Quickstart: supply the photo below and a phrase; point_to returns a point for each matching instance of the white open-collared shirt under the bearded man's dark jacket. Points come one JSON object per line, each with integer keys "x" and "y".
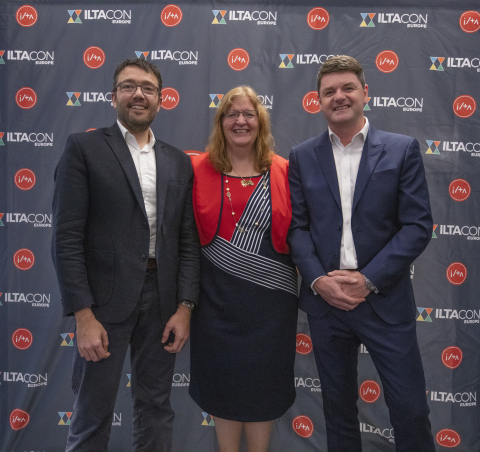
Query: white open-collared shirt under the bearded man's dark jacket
{"x": 145, "y": 164}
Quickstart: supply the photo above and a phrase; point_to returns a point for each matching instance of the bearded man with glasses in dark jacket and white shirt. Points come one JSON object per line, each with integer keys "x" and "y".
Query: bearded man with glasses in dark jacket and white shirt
{"x": 126, "y": 252}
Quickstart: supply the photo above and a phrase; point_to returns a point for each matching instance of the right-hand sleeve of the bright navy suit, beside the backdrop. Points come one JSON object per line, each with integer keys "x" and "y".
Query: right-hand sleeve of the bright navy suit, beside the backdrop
{"x": 415, "y": 224}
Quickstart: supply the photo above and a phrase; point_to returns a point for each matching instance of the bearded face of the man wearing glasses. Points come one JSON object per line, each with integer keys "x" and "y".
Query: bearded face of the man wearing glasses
{"x": 136, "y": 111}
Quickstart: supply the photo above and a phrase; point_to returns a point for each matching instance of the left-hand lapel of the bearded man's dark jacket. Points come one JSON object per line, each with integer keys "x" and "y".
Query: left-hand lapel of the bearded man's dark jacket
{"x": 119, "y": 146}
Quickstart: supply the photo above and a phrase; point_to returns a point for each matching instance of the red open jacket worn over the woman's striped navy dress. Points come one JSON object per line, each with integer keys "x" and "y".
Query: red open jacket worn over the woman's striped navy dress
{"x": 207, "y": 200}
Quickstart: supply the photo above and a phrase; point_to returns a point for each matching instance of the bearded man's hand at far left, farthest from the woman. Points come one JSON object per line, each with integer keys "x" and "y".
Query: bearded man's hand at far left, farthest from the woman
{"x": 92, "y": 339}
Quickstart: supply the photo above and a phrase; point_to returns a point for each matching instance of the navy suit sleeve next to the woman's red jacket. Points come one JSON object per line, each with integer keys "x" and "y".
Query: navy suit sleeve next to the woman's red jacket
{"x": 301, "y": 245}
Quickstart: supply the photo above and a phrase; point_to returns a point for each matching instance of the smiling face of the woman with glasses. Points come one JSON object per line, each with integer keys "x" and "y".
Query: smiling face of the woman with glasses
{"x": 240, "y": 133}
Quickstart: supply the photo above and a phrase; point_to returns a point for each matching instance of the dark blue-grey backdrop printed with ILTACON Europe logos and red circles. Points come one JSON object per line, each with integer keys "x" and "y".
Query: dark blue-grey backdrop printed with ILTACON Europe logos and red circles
{"x": 422, "y": 65}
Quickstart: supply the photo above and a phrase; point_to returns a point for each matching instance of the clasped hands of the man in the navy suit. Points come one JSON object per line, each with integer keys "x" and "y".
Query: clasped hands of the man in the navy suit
{"x": 335, "y": 290}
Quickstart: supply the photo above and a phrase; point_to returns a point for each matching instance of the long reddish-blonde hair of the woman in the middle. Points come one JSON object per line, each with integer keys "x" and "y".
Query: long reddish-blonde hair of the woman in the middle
{"x": 264, "y": 143}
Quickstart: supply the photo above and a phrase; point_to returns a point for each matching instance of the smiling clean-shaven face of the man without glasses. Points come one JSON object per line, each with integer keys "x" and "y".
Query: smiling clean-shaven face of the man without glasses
{"x": 342, "y": 99}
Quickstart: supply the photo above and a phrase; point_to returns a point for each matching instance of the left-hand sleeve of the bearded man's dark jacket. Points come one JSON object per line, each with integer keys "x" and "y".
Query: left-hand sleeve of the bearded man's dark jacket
{"x": 70, "y": 211}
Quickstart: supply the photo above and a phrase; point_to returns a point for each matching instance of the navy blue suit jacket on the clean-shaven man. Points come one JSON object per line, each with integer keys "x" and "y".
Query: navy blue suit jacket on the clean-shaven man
{"x": 391, "y": 219}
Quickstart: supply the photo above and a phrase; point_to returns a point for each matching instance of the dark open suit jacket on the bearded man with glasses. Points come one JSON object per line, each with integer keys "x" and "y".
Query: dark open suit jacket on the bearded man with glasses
{"x": 101, "y": 233}
